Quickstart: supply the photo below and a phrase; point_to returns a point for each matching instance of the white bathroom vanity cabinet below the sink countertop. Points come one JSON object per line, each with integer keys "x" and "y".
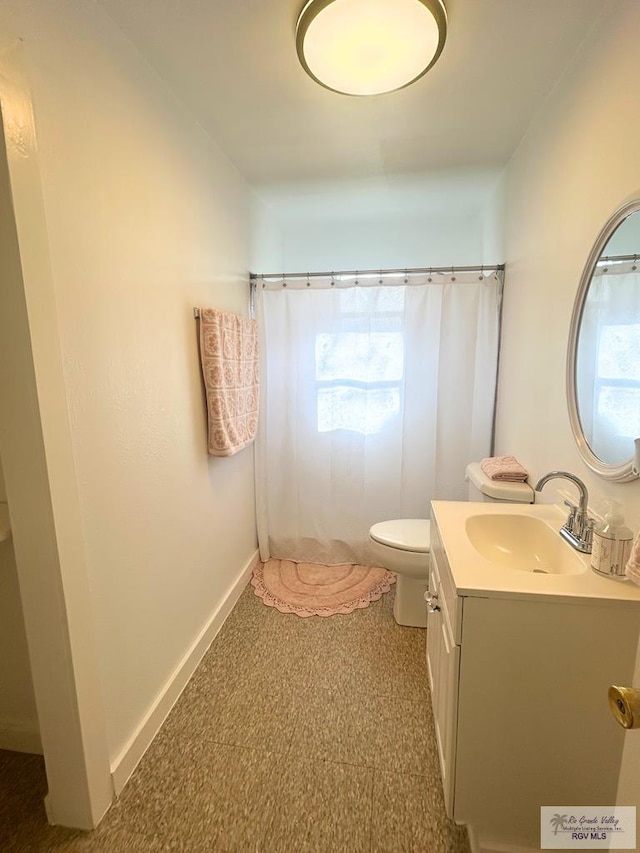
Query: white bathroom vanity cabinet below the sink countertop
{"x": 519, "y": 690}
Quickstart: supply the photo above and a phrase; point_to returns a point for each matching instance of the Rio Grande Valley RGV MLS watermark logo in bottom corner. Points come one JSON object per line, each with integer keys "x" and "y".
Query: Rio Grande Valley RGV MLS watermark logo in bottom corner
{"x": 588, "y": 828}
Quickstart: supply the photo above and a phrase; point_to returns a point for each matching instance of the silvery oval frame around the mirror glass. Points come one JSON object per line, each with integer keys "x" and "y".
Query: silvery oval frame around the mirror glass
{"x": 616, "y": 473}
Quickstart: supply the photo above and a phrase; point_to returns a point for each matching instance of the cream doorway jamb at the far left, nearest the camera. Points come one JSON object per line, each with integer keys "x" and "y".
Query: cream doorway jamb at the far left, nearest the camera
{"x": 40, "y": 482}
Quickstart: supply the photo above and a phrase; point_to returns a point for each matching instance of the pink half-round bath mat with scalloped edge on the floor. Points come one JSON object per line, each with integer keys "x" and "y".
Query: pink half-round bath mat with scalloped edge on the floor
{"x": 309, "y": 589}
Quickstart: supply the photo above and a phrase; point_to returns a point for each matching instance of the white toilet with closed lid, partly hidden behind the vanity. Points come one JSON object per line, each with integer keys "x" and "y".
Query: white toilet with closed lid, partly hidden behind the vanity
{"x": 403, "y": 544}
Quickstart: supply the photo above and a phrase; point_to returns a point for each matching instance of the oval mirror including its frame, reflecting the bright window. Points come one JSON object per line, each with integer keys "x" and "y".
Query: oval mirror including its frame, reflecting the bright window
{"x": 603, "y": 360}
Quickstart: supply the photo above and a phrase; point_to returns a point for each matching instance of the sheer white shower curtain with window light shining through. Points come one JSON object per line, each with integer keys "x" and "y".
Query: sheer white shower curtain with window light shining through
{"x": 374, "y": 399}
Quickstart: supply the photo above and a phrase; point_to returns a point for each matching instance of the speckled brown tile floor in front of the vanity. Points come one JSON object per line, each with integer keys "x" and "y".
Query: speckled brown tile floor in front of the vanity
{"x": 294, "y": 735}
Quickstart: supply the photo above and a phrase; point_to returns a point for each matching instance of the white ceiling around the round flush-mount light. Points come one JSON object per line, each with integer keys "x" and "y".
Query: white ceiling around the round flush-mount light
{"x": 234, "y": 64}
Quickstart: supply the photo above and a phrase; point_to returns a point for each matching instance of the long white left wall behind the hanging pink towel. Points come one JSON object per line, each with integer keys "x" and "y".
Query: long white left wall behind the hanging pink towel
{"x": 146, "y": 218}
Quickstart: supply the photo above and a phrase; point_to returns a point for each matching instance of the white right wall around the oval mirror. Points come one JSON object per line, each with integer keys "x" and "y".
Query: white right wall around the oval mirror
{"x": 577, "y": 163}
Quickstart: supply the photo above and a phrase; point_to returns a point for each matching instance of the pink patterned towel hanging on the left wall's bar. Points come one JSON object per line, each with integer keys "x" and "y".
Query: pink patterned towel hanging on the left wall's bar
{"x": 230, "y": 369}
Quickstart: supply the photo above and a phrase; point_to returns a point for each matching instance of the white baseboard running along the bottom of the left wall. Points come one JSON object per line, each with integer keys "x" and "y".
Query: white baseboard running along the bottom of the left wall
{"x": 127, "y": 761}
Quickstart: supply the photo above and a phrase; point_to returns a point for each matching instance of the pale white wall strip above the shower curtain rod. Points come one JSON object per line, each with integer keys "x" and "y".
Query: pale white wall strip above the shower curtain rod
{"x": 372, "y": 224}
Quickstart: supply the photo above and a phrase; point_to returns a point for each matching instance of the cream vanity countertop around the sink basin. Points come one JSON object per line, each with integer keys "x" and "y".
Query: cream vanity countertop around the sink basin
{"x": 473, "y": 575}
